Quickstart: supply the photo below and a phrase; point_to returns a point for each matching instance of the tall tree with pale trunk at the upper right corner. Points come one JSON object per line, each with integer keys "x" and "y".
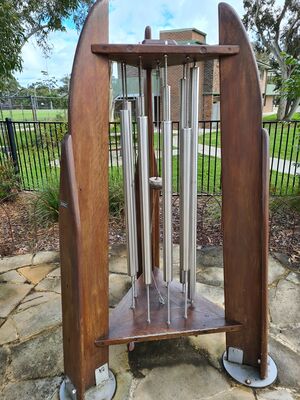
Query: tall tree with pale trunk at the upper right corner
{"x": 276, "y": 30}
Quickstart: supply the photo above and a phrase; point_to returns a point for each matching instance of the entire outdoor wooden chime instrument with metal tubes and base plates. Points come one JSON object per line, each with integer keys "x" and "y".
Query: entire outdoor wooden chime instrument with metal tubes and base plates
{"x": 158, "y": 306}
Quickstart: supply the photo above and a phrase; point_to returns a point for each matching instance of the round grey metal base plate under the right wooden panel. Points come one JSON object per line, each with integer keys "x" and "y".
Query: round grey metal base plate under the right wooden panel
{"x": 249, "y": 376}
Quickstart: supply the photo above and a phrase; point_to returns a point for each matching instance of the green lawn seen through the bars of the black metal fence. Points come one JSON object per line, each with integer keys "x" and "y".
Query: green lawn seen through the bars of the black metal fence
{"x": 39, "y": 156}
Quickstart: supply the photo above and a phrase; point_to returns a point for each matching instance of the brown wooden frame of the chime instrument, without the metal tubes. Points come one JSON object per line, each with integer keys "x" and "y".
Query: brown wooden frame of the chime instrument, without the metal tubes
{"x": 87, "y": 328}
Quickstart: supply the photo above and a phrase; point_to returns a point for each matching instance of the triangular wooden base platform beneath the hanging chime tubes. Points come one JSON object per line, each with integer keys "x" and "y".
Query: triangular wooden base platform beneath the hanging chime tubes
{"x": 128, "y": 325}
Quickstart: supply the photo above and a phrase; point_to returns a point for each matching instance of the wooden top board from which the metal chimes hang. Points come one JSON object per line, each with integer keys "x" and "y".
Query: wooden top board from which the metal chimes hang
{"x": 152, "y": 53}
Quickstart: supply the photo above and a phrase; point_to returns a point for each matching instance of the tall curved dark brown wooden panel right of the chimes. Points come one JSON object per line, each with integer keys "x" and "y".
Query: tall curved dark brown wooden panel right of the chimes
{"x": 242, "y": 207}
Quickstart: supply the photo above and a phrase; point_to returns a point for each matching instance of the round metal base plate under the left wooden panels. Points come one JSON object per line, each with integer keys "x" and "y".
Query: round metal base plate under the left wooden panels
{"x": 104, "y": 391}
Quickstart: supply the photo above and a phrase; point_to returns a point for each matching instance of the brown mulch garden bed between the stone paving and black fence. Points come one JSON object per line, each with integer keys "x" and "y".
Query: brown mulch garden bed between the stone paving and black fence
{"x": 21, "y": 234}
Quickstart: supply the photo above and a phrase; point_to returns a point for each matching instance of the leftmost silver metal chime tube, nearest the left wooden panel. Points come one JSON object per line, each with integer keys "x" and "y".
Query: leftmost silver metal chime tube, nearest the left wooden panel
{"x": 129, "y": 186}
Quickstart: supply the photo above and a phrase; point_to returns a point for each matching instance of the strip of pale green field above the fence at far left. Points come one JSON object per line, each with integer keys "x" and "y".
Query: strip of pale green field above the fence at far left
{"x": 42, "y": 115}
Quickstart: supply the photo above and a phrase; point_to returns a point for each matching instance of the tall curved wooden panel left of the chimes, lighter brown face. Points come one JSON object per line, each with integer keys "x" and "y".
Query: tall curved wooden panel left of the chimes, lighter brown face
{"x": 88, "y": 127}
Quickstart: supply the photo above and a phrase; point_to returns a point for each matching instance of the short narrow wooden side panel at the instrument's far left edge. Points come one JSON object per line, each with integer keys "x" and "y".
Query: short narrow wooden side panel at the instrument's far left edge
{"x": 69, "y": 229}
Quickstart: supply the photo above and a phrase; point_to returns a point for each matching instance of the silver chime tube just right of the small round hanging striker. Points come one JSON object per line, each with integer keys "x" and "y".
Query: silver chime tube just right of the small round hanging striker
{"x": 167, "y": 189}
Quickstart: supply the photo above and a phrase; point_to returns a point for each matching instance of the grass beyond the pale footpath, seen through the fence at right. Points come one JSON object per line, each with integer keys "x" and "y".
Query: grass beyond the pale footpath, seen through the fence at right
{"x": 284, "y": 140}
